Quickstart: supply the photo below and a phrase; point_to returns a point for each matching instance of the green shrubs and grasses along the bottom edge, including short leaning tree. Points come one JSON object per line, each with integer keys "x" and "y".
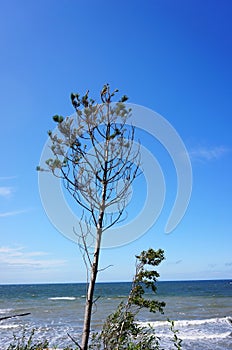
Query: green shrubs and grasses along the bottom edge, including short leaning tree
{"x": 122, "y": 330}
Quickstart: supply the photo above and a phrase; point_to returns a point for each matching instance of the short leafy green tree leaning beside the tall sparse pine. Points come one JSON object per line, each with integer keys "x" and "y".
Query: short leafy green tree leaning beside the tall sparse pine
{"x": 121, "y": 329}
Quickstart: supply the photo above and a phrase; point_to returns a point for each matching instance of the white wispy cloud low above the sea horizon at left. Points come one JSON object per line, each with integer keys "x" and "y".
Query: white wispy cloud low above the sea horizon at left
{"x": 18, "y": 258}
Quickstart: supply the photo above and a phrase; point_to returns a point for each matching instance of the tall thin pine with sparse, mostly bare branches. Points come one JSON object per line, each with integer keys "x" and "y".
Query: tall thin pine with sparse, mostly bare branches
{"x": 94, "y": 155}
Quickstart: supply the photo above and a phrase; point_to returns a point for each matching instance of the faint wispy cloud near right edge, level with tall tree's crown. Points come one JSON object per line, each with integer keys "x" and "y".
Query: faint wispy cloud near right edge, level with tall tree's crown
{"x": 208, "y": 153}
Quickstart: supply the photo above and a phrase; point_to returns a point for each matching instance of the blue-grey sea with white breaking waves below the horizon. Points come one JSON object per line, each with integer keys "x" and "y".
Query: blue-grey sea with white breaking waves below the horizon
{"x": 201, "y": 310}
